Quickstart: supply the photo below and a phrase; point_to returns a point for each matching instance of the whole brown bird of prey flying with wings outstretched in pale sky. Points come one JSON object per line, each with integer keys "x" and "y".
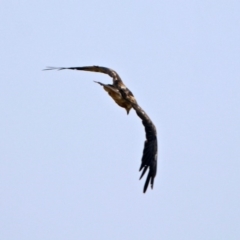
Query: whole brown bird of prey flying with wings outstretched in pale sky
{"x": 125, "y": 99}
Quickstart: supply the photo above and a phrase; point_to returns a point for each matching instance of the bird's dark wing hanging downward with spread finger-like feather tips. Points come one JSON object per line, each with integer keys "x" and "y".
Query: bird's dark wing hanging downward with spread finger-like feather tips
{"x": 149, "y": 158}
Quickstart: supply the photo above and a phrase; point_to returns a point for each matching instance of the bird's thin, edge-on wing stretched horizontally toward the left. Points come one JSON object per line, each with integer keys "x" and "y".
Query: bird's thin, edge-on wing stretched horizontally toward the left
{"x": 105, "y": 70}
